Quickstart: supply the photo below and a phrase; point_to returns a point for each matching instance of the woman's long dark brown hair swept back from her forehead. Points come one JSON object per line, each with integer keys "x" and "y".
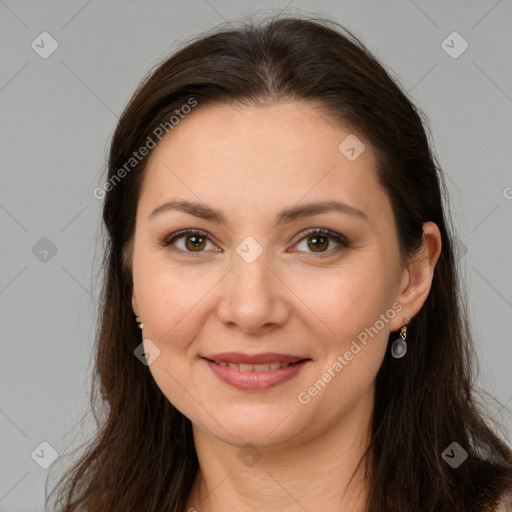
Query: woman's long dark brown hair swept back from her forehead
{"x": 142, "y": 456}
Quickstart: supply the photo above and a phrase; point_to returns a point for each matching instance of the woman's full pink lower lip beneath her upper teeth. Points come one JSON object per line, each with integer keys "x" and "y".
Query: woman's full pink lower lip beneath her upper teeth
{"x": 255, "y": 381}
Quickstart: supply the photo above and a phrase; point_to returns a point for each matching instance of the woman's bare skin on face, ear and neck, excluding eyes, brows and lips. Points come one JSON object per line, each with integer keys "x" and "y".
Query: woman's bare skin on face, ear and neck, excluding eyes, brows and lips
{"x": 251, "y": 162}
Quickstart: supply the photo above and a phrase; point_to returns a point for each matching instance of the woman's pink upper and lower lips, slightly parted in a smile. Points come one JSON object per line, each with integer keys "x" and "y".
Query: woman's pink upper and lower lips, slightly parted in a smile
{"x": 255, "y": 380}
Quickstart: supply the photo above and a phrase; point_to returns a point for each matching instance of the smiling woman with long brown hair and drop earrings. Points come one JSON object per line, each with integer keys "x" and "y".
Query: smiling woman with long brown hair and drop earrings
{"x": 276, "y": 225}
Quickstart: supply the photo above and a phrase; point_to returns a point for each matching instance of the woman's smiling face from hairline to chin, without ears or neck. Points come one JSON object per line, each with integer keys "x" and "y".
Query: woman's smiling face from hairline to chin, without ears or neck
{"x": 253, "y": 281}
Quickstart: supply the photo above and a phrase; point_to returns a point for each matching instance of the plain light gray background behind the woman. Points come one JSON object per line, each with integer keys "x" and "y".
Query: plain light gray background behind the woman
{"x": 57, "y": 117}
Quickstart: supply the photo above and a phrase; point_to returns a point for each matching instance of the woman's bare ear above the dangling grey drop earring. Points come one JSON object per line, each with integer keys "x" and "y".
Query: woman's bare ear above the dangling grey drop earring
{"x": 417, "y": 277}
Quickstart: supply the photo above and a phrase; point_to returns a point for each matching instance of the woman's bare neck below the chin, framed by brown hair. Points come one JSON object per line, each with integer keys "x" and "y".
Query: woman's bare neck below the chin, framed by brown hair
{"x": 318, "y": 473}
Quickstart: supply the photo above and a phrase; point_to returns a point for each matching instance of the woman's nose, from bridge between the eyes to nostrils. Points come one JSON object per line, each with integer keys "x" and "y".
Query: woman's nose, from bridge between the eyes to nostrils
{"x": 253, "y": 296}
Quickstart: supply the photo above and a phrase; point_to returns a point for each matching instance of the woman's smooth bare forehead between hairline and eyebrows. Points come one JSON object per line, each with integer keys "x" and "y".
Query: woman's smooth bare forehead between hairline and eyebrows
{"x": 262, "y": 155}
